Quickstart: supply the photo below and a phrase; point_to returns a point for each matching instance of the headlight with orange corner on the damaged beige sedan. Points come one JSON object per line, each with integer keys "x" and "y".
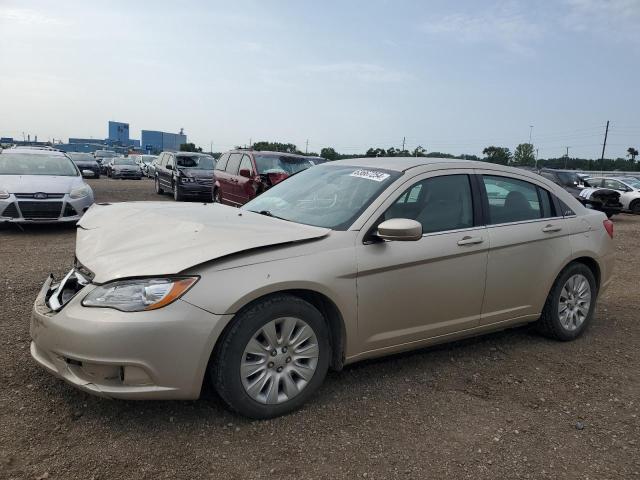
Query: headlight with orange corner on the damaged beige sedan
{"x": 138, "y": 295}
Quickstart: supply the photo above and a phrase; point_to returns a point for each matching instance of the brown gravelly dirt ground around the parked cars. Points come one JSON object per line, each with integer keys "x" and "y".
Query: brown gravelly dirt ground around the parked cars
{"x": 507, "y": 405}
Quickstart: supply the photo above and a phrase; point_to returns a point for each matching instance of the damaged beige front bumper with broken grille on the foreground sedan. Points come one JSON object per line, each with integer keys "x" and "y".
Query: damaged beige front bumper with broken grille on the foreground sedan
{"x": 158, "y": 354}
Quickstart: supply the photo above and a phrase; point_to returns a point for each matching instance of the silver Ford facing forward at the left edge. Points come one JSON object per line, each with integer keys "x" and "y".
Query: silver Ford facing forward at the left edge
{"x": 41, "y": 186}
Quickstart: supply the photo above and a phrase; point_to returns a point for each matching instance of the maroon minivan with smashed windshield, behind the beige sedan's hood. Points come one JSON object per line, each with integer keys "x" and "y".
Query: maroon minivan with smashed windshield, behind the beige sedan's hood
{"x": 241, "y": 175}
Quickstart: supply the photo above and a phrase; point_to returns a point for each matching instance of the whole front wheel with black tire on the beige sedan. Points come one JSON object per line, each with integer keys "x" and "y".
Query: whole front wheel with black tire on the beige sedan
{"x": 265, "y": 402}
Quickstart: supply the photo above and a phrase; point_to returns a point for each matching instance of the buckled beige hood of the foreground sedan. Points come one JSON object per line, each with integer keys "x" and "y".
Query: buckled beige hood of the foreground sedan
{"x": 134, "y": 239}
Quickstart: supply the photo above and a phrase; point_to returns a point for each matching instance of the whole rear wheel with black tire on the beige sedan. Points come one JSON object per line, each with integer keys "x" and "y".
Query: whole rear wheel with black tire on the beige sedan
{"x": 575, "y": 319}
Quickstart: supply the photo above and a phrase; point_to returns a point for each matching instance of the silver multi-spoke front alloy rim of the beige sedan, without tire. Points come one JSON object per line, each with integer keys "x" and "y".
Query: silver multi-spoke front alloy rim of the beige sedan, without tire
{"x": 279, "y": 361}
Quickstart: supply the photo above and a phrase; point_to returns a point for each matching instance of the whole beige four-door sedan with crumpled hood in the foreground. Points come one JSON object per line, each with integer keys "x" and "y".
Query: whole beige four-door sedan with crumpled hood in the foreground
{"x": 348, "y": 260}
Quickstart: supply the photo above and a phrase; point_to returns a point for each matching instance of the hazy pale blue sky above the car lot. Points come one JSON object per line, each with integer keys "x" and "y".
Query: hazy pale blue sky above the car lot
{"x": 452, "y": 77}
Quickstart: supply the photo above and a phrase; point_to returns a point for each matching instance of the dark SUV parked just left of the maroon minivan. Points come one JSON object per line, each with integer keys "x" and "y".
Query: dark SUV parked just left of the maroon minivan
{"x": 184, "y": 174}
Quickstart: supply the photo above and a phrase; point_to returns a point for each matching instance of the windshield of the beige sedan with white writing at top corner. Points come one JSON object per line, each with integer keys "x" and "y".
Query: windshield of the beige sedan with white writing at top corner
{"x": 325, "y": 196}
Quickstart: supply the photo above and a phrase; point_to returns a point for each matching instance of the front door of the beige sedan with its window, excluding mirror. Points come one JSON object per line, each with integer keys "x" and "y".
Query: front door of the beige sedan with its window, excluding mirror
{"x": 410, "y": 291}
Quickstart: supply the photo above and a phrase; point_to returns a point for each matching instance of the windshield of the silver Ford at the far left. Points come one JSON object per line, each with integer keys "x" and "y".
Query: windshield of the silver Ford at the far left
{"x": 29, "y": 164}
